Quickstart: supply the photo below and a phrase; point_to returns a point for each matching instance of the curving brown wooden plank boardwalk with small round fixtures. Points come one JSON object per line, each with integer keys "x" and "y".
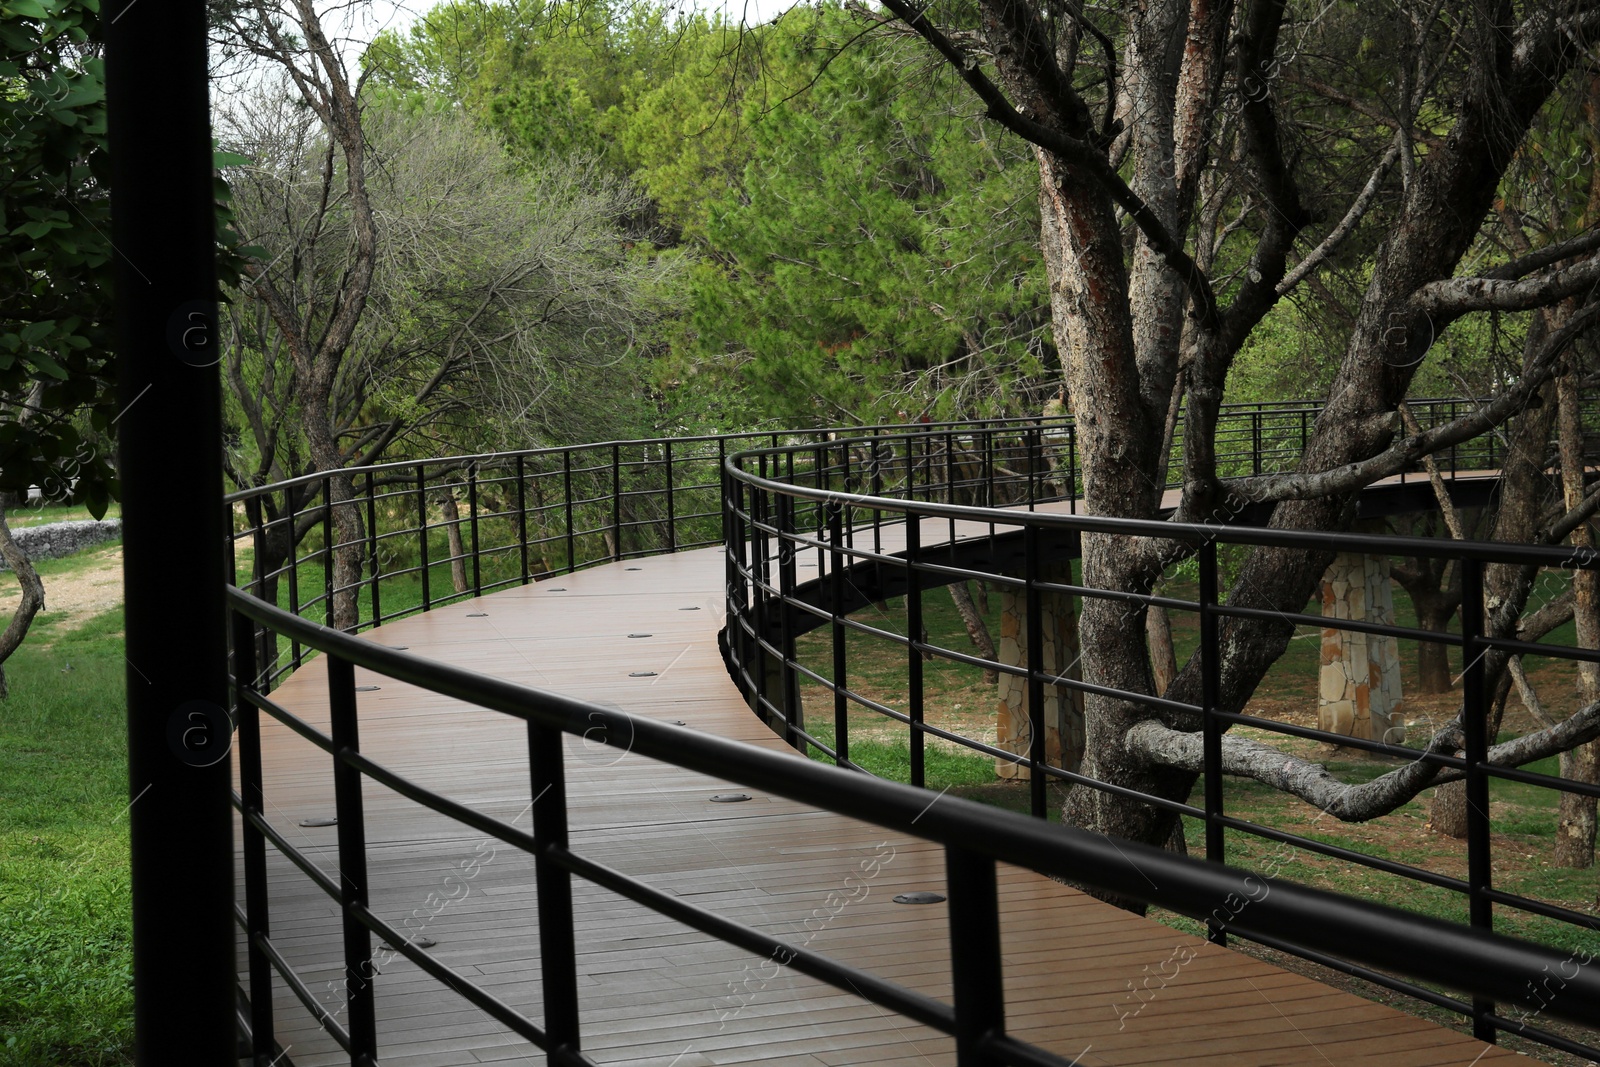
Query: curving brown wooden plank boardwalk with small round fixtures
{"x": 663, "y": 996}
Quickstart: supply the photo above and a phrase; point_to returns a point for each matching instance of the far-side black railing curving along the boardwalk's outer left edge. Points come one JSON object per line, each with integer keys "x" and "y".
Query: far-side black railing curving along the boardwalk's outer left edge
{"x": 442, "y": 530}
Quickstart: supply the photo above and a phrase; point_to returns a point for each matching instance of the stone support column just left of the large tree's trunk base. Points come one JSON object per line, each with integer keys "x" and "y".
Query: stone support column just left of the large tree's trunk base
{"x": 1063, "y": 706}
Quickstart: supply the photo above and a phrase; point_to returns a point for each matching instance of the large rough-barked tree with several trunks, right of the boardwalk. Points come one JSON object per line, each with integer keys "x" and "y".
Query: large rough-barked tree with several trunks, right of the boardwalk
{"x": 1204, "y": 162}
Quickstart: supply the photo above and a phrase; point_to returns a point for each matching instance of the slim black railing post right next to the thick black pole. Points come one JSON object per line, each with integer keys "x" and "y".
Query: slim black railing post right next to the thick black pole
{"x": 255, "y": 844}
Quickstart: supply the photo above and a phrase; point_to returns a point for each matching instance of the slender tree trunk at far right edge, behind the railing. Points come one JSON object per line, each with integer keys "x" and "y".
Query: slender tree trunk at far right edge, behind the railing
{"x": 1575, "y": 833}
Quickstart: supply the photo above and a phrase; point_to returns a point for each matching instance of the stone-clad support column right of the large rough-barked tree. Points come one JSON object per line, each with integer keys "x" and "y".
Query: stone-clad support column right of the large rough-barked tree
{"x": 1361, "y": 673}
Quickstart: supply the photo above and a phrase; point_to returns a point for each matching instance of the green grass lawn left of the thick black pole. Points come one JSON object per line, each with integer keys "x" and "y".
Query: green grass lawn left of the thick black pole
{"x": 65, "y": 914}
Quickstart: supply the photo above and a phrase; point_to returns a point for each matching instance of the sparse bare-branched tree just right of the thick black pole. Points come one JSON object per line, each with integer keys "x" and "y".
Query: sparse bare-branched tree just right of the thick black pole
{"x": 414, "y": 287}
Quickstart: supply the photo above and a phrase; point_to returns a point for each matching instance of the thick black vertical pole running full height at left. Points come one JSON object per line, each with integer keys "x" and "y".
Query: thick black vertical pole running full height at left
{"x": 170, "y": 457}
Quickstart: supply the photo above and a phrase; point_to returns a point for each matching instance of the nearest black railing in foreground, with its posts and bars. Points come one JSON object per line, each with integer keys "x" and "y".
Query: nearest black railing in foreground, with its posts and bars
{"x": 975, "y": 836}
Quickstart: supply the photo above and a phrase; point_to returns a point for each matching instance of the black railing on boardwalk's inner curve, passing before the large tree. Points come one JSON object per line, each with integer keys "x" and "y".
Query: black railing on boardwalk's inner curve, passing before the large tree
{"x": 769, "y": 609}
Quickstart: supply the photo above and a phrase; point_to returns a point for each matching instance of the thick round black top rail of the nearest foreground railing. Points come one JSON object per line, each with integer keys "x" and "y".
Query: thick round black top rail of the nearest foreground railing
{"x": 1473, "y": 961}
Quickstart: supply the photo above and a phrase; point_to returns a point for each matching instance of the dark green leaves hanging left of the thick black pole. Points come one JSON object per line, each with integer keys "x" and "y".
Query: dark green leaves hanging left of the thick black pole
{"x": 55, "y": 257}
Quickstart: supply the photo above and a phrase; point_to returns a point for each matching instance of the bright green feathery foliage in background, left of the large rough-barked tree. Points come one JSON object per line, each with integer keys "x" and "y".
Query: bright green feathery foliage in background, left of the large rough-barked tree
{"x": 876, "y": 255}
